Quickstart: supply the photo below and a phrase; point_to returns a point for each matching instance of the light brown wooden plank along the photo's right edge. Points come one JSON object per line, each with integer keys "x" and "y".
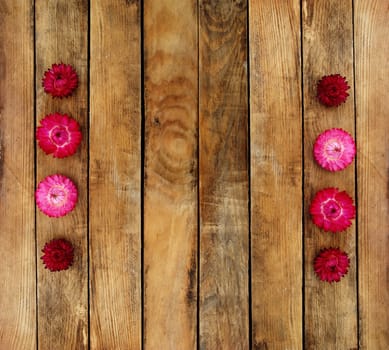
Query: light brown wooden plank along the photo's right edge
{"x": 371, "y": 19}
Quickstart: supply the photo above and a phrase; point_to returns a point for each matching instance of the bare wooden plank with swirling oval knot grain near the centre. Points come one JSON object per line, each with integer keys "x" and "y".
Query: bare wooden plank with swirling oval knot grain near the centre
{"x": 170, "y": 193}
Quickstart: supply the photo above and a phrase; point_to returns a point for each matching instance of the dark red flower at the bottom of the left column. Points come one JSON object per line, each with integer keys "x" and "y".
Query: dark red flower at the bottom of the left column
{"x": 58, "y": 255}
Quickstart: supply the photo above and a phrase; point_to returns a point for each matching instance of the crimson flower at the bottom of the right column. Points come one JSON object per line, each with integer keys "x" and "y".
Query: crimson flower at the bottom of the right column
{"x": 331, "y": 264}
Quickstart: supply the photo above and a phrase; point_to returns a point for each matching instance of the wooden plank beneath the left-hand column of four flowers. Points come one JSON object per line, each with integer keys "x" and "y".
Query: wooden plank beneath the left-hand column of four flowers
{"x": 61, "y": 36}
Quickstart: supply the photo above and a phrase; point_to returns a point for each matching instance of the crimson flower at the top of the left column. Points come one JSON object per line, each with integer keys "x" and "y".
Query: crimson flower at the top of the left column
{"x": 60, "y": 80}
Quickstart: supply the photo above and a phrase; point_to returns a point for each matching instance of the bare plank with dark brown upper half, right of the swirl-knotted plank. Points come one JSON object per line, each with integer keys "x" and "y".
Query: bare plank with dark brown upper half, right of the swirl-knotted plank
{"x": 224, "y": 231}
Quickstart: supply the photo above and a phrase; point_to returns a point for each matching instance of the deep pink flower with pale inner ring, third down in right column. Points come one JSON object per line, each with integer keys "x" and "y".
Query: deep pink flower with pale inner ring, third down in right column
{"x": 332, "y": 210}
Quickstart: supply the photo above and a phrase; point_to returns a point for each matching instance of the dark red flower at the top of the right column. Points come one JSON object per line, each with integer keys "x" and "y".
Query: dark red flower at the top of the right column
{"x": 332, "y": 90}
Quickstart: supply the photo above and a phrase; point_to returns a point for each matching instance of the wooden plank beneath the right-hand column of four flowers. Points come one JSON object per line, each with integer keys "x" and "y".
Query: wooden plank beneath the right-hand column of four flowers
{"x": 330, "y": 309}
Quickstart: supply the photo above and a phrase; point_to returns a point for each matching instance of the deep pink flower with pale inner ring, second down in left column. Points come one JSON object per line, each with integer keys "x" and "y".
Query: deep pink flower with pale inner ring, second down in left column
{"x": 58, "y": 134}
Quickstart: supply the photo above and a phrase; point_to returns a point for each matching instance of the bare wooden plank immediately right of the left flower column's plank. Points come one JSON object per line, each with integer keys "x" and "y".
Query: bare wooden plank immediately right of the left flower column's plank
{"x": 115, "y": 170}
